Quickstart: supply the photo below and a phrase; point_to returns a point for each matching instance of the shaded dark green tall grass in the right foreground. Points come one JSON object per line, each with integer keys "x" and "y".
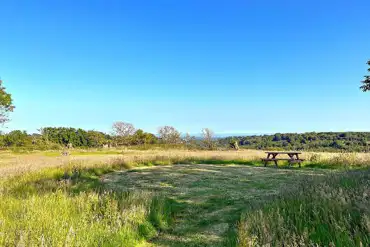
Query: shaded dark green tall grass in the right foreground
{"x": 333, "y": 211}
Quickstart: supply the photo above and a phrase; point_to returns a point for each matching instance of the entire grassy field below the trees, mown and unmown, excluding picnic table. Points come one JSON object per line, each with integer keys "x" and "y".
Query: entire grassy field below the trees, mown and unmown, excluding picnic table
{"x": 182, "y": 198}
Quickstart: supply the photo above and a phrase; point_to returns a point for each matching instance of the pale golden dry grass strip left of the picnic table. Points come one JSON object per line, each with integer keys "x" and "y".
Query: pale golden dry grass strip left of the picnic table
{"x": 16, "y": 164}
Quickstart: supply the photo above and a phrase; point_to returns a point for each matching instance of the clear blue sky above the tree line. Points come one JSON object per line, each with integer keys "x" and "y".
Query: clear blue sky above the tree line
{"x": 254, "y": 66}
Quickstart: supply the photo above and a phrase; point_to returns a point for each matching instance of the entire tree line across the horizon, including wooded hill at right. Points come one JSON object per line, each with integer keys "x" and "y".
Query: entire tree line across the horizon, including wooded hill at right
{"x": 125, "y": 135}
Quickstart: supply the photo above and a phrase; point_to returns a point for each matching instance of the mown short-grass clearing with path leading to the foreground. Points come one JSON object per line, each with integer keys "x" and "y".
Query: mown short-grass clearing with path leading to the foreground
{"x": 209, "y": 198}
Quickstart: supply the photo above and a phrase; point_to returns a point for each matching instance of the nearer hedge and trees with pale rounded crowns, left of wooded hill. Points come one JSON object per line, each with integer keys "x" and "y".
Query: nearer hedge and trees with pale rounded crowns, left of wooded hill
{"x": 122, "y": 134}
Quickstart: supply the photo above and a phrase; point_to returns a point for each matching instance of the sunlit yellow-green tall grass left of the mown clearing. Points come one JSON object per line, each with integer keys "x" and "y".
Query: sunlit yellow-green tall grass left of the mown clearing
{"x": 67, "y": 206}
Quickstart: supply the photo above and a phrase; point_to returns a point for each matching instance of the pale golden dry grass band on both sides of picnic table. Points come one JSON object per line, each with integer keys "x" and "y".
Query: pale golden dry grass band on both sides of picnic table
{"x": 16, "y": 164}
